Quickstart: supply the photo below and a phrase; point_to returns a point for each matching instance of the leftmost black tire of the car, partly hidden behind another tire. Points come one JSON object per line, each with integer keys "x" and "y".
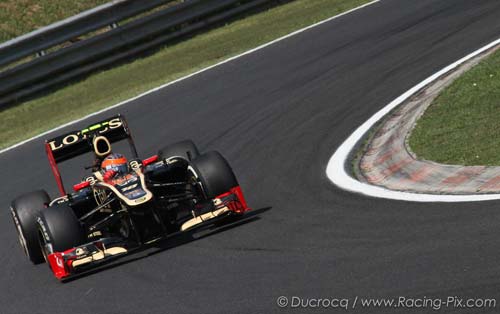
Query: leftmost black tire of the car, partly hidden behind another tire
{"x": 25, "y": 210}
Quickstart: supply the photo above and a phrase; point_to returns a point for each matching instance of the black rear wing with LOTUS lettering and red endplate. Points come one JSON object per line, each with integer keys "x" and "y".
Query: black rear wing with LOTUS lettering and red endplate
{"x": 79, "y": 142}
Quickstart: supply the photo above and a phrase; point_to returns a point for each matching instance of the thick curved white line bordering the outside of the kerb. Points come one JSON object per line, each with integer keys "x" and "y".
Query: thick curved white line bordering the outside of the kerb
{"x": 336, "y": 169}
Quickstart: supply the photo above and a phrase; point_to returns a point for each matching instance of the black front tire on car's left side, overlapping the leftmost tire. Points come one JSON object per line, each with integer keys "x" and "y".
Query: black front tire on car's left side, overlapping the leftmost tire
{"x": 59, "y": 226}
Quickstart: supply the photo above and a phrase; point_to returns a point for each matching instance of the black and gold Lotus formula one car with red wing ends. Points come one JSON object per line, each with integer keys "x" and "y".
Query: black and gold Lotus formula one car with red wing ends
{"x": 123, "y": 204}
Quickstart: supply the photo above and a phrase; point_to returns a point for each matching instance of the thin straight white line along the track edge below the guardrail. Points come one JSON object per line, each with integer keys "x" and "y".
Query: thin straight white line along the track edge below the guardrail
{"x": 187, "y": 76}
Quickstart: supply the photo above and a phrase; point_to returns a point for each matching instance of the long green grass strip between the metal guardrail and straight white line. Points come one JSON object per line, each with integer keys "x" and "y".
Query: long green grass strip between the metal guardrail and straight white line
{"x": 110, "y": 87}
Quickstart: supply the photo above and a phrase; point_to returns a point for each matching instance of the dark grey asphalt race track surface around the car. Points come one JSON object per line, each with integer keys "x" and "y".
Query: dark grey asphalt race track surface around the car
{"x": 278, "y": 115}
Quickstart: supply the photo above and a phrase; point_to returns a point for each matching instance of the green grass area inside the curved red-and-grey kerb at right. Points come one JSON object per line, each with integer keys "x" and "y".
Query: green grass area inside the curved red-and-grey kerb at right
{"x": 462, "y": 125}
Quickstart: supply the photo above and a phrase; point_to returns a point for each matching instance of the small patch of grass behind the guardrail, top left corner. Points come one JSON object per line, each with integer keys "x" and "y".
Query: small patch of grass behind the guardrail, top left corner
{"x": 18, "y": 17}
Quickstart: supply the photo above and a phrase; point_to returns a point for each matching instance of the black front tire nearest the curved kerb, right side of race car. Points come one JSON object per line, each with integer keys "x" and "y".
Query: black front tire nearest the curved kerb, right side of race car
{"x": 214, "y": 173}
